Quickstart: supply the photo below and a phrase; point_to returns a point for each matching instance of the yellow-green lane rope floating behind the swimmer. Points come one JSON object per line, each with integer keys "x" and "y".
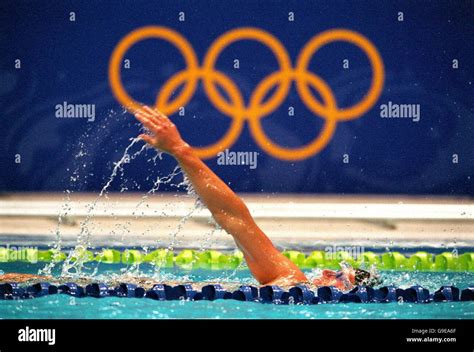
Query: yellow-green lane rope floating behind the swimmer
{"x": 212, "y": 259}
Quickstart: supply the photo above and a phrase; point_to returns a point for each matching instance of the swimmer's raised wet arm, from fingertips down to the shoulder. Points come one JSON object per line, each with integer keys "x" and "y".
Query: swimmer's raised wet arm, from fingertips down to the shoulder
{"x": 264, "y": 260}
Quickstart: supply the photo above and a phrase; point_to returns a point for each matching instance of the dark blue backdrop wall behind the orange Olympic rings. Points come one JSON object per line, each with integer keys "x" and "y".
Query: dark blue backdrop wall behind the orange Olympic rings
{"x": 57, "y": 52}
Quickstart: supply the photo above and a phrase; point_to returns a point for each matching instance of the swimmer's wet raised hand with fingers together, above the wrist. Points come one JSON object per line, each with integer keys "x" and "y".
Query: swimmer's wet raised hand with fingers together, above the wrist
{"x": 163, "y": 133}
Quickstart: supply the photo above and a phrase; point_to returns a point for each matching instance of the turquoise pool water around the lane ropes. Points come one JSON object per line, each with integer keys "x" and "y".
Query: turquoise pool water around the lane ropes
{"x": 67, "y": 307}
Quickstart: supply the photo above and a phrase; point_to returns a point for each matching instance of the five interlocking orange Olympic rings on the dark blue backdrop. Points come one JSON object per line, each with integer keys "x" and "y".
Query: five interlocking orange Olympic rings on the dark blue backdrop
{"x": 257, "y": 108}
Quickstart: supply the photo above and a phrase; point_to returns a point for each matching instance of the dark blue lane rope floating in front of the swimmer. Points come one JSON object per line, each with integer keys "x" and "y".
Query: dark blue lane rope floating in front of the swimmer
{"x": 299, "y": 294}
